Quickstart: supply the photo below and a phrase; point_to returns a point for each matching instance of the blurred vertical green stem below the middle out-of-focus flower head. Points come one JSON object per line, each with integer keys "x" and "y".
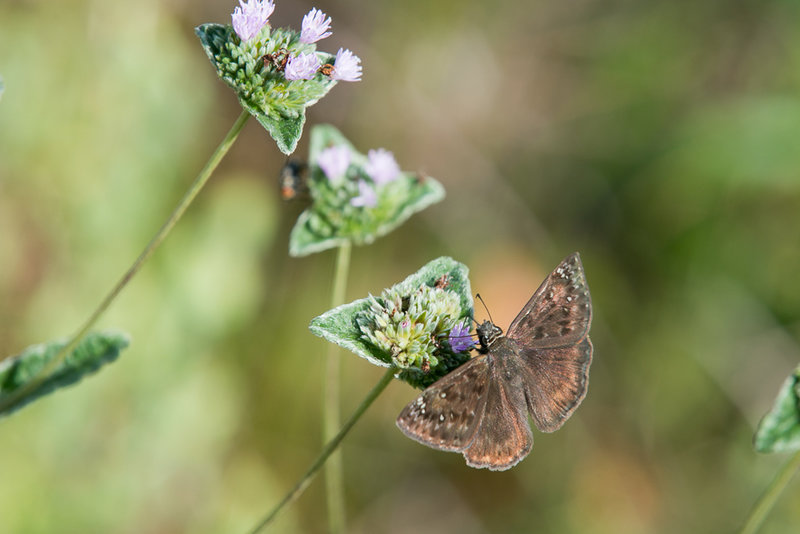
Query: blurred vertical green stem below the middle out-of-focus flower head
{"x": 331, "y": 408}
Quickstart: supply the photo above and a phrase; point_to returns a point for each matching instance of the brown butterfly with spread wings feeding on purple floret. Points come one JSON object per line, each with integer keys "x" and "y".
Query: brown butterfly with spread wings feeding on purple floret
{"x": 541, "y": 368}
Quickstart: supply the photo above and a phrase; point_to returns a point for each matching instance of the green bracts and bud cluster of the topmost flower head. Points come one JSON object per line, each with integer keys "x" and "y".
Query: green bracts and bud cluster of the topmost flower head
{"x": 278, "y": 104}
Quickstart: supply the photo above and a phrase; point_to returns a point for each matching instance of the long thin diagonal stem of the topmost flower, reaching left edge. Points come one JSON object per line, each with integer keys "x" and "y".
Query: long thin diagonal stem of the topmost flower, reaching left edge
{"x": 187, "y": 199}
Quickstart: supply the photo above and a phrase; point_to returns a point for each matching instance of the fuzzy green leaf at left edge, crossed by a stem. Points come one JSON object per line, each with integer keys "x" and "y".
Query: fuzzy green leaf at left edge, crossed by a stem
{"x": 94, "y": 351}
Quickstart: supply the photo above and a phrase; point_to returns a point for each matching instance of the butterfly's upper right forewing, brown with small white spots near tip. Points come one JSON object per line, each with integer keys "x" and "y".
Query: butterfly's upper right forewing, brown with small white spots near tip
{"x": 559, "y": 312}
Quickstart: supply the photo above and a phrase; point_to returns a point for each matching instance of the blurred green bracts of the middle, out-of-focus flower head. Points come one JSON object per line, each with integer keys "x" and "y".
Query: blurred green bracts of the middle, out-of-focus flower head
{"x": 332, "y": 220}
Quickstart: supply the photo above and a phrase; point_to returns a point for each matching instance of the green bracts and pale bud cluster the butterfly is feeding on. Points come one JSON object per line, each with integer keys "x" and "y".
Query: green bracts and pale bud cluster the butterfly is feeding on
{"x": 408, "y": 324}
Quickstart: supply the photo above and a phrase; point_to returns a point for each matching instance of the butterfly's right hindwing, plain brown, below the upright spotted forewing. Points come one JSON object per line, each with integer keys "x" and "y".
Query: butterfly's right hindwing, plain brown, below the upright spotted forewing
{"x": 556, "y": 381}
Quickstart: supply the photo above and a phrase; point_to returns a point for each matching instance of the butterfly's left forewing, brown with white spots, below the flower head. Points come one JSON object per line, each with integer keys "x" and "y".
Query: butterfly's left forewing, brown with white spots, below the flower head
{"x": 447, "y": 413}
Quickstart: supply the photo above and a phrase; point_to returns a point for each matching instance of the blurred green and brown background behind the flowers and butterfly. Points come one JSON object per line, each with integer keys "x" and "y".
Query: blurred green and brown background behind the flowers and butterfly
{"x": 660, "y": 139}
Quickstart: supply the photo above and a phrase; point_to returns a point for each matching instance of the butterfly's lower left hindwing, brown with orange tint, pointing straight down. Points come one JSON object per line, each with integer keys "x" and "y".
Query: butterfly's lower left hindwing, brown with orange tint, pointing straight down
{"x": 504, "y": 435}
